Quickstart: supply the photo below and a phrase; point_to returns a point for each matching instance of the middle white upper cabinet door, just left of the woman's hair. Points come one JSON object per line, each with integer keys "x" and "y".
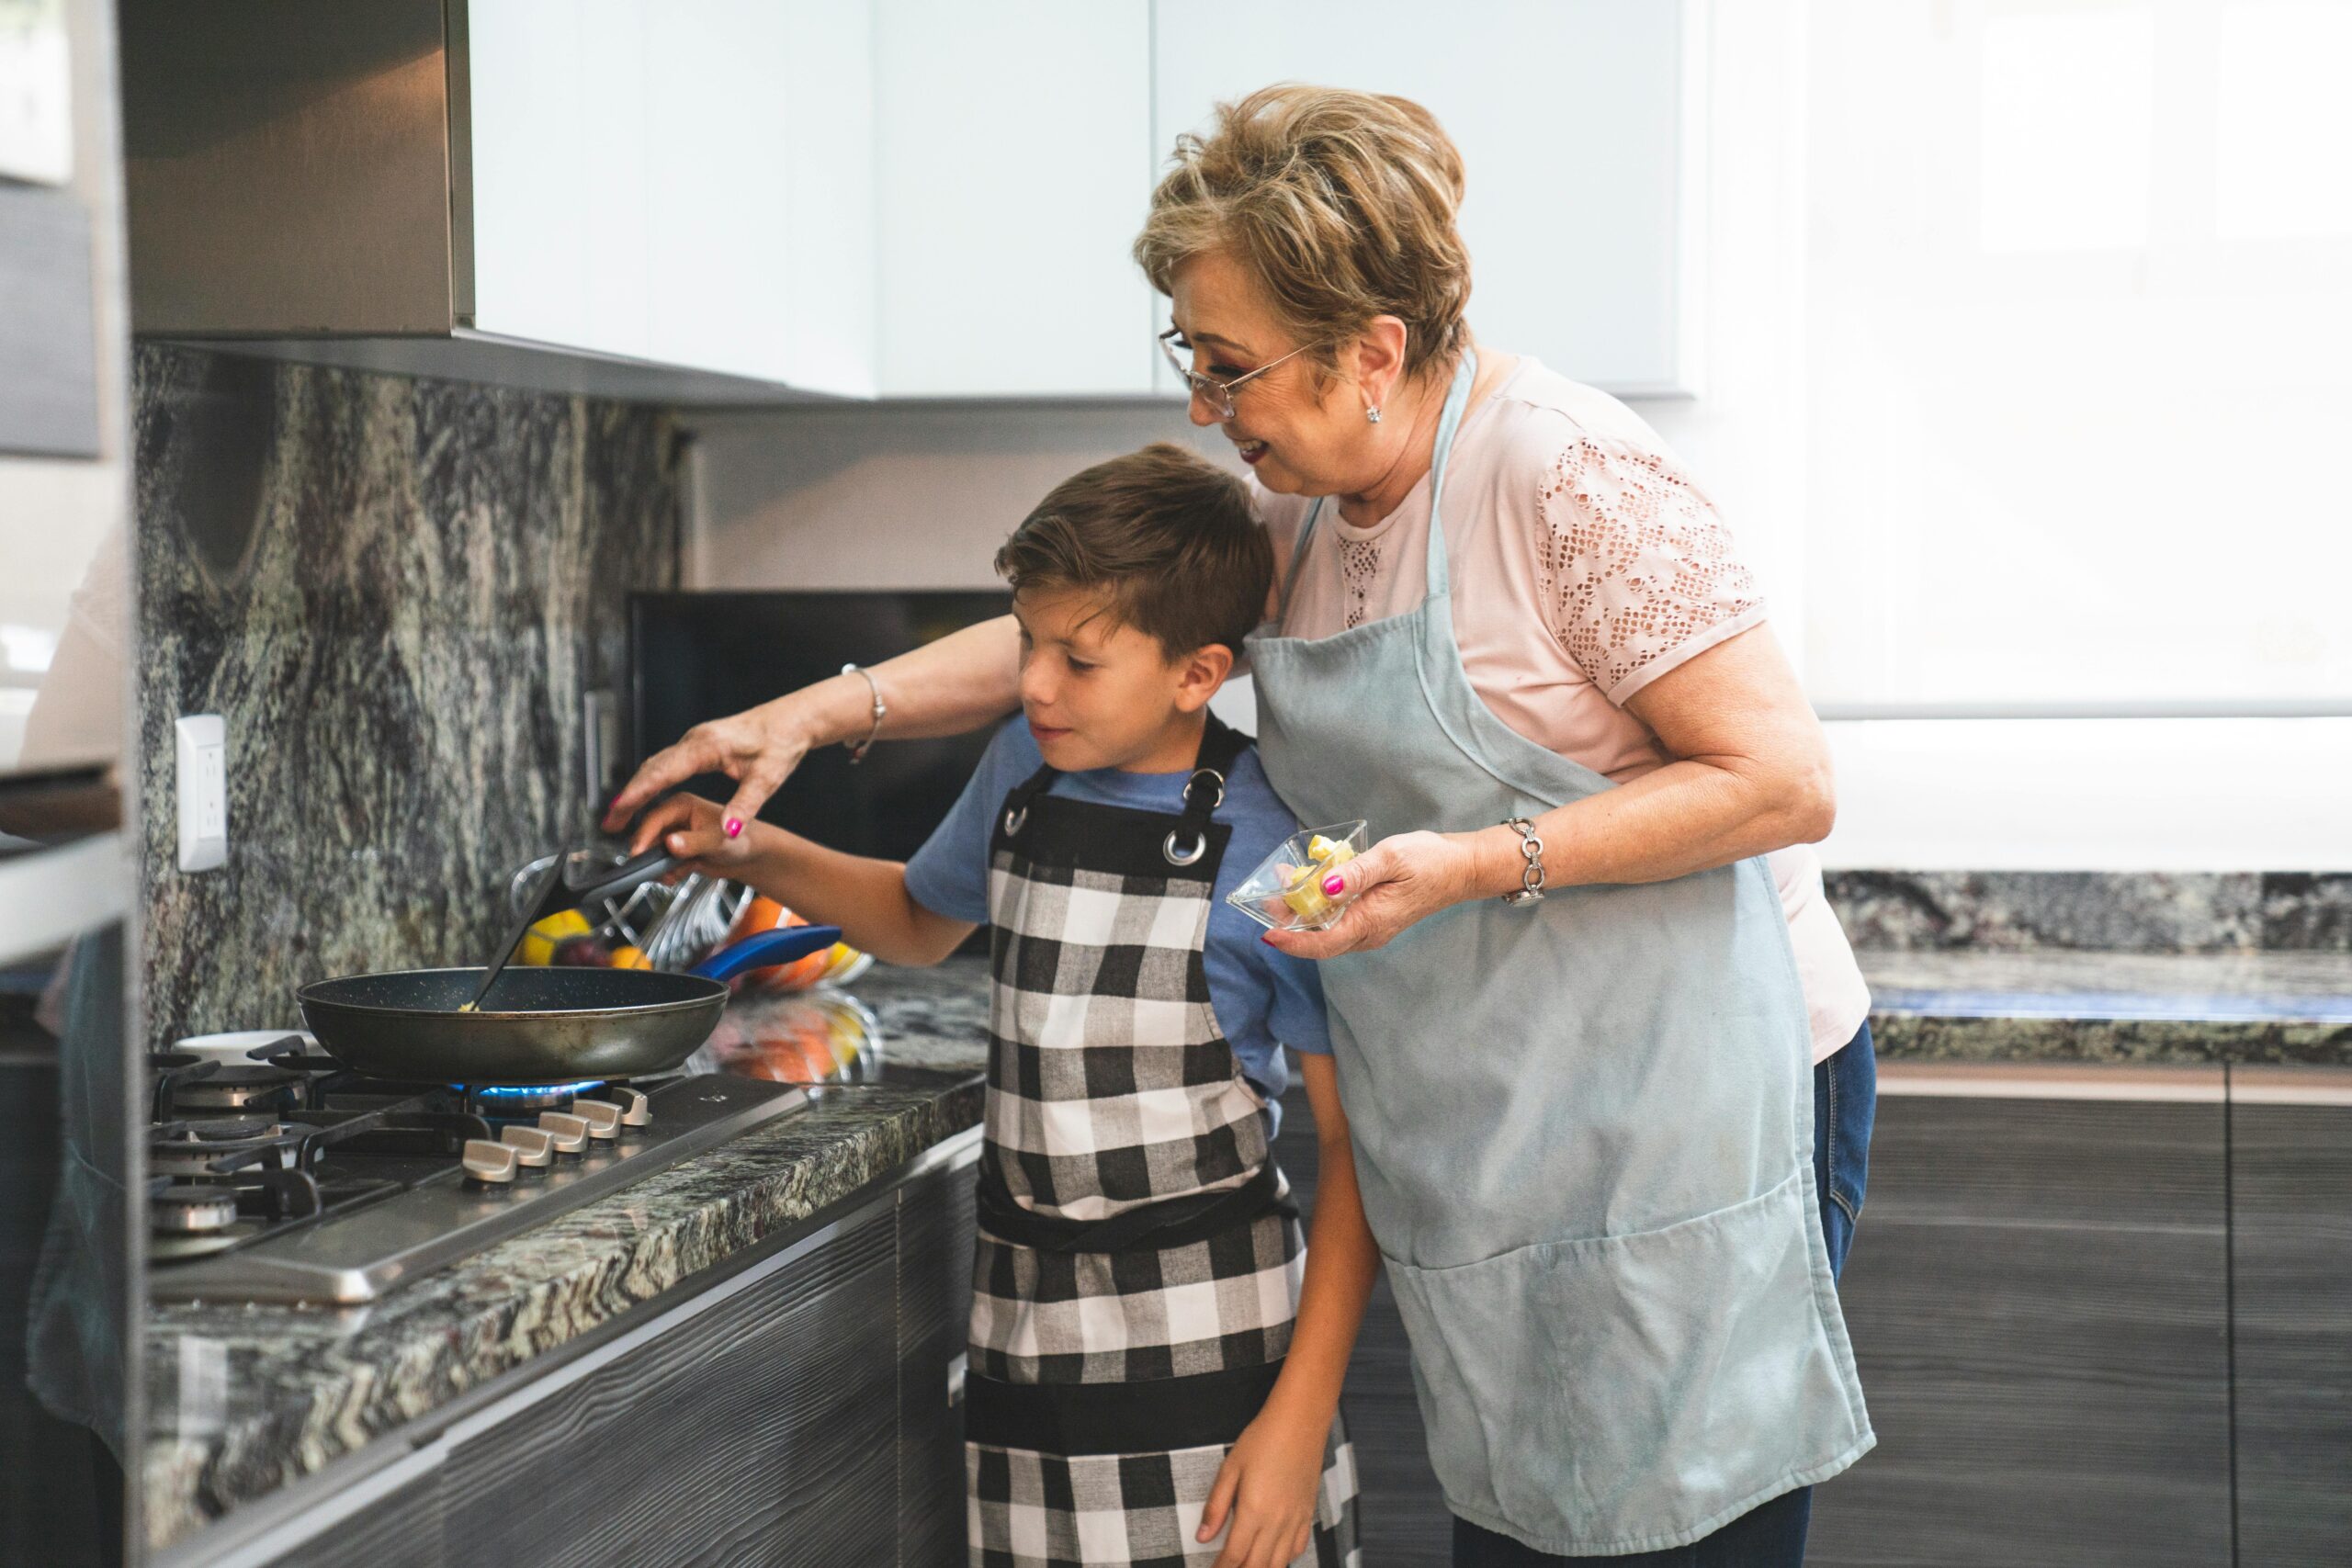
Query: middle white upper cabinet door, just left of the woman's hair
{"x": 1015, "y": 159}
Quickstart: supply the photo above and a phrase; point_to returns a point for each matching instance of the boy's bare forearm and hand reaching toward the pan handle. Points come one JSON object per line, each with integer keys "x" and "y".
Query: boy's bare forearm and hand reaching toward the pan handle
{"x": 867, "y": 899}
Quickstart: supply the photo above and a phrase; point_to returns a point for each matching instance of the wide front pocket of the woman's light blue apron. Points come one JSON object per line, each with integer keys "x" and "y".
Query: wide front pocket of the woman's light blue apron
{"x": 1633, "y": 1393}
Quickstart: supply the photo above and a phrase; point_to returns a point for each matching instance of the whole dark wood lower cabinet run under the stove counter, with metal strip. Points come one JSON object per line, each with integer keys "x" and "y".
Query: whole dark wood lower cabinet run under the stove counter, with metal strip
{"x": 796, "y": 1416}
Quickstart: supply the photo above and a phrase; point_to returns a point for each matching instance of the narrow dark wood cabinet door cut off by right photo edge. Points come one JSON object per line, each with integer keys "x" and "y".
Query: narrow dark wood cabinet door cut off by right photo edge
{"x": 2292, "y": 1249}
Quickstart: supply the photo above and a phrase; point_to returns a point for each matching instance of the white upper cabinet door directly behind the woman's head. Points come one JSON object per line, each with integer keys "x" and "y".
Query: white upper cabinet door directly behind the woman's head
{"x": 1572, "y": 119}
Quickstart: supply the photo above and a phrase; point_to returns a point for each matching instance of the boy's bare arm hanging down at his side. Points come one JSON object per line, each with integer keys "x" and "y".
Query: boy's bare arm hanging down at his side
{"x": 1274, "y": 1473}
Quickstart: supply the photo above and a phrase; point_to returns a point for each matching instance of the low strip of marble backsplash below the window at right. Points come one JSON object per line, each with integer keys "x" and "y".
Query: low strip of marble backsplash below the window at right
{"x": 2097, "y": 911}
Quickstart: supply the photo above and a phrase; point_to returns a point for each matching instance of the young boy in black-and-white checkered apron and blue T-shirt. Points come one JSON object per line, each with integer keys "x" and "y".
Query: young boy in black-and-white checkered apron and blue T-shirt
{"x": 1154, "y": 1374}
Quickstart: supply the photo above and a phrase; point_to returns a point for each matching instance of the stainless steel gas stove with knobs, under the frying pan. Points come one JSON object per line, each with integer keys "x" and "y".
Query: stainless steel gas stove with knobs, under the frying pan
{"x": 279, "y": 1177}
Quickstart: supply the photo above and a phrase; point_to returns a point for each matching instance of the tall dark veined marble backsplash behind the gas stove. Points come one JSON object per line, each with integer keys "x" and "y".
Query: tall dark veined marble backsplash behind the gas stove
{"x": 396, "y": 594}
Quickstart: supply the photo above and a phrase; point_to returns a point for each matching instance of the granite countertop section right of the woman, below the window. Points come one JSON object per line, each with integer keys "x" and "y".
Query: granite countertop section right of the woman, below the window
{"x": 2111, "y": 1007}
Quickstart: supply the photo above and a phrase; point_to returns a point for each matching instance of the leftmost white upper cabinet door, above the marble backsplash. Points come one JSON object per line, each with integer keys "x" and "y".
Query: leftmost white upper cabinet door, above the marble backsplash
{"x": 679, "y": 182}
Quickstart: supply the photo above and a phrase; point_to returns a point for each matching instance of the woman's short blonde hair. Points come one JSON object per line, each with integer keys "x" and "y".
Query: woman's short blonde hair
{"x": 1342, "y": 206}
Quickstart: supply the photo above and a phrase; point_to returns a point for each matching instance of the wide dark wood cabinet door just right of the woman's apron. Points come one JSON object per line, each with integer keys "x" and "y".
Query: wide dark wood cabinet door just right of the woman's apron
{"x": 2038, "y": 1299}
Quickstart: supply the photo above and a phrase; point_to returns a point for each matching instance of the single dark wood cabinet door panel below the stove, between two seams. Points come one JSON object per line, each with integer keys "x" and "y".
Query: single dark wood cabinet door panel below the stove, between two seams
{"x": 759, "y": 1433}
